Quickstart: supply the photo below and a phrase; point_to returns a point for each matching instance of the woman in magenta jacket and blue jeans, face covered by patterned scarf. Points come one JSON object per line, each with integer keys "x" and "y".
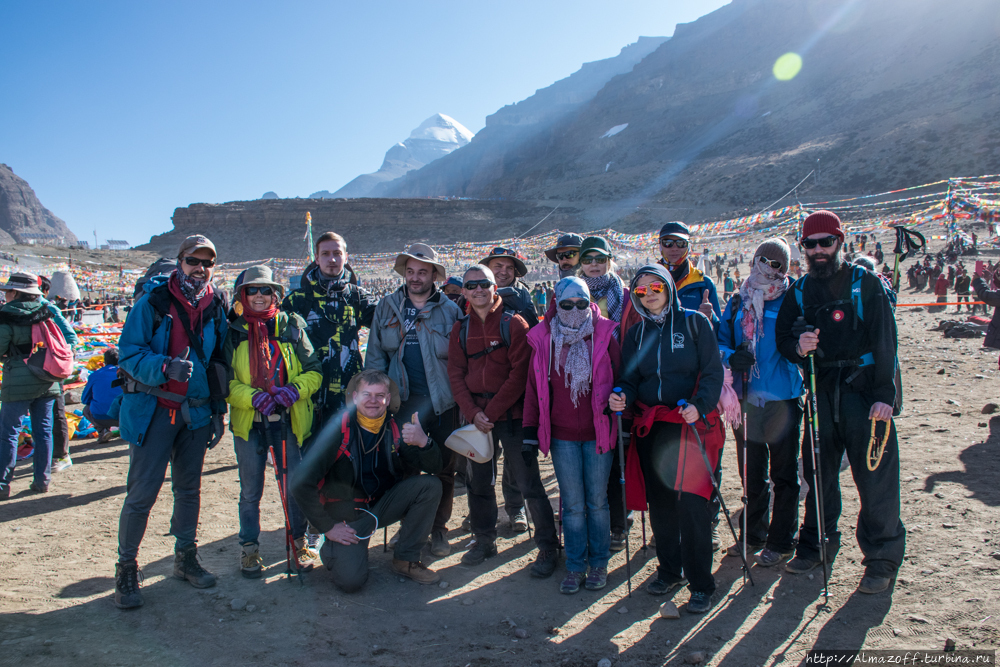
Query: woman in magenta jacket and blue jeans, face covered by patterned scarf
{"x": 574, "y": 358}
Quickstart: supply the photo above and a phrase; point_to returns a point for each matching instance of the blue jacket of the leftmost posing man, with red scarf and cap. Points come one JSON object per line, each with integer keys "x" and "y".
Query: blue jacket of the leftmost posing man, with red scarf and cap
{"x": 143, "y": 353}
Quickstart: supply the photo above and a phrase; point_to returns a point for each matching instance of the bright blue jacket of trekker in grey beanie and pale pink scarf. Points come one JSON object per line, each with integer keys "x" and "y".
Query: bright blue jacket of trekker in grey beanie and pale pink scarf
{"x": 779, "y": 379}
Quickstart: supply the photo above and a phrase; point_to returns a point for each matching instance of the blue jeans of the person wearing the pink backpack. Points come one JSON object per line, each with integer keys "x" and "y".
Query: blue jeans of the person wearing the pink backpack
{"x": 41, "y": 435}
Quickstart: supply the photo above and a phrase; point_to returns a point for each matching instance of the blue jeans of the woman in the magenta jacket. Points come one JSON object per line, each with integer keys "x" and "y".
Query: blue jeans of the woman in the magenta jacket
{"x": 583, "y": 488}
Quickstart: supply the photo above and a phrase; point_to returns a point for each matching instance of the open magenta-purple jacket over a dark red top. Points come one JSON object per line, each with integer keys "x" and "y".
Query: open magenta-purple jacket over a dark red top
{"x": 537, "y": 410}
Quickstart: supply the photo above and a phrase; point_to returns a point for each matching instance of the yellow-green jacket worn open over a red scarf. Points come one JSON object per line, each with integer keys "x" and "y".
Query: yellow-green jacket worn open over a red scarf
{"x": 303, "y": 366}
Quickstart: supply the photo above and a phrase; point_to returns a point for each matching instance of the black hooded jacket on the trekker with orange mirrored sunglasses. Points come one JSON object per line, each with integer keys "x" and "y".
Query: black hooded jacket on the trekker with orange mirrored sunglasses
{"x": 661, "y": 364}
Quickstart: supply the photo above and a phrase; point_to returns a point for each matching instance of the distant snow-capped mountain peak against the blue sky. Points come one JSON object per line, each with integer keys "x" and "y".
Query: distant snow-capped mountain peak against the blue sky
{"x": 436, "y": 137}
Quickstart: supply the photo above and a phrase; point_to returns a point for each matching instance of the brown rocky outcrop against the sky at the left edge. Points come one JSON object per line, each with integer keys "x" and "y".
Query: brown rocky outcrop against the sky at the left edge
{"x": 23, "y": 219}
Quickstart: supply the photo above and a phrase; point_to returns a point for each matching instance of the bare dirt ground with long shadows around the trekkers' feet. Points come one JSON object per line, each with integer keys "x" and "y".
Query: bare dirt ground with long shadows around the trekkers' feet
{"x": 57, "y": 559}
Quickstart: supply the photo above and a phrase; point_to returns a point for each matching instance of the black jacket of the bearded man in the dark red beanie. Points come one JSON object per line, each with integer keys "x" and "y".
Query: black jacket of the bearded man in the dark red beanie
{"x": 828, "y": 305}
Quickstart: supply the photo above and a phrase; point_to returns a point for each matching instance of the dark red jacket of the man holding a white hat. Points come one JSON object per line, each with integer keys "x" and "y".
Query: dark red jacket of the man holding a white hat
{"x": 503, "y": 372}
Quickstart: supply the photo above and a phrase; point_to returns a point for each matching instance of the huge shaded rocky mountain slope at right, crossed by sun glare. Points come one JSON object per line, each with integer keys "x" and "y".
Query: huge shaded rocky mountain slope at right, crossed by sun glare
{"x": 891, "y": 93}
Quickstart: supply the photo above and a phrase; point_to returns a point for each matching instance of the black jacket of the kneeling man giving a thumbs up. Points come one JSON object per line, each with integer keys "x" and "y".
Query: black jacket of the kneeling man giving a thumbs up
{"x": 326, "y": 484}
